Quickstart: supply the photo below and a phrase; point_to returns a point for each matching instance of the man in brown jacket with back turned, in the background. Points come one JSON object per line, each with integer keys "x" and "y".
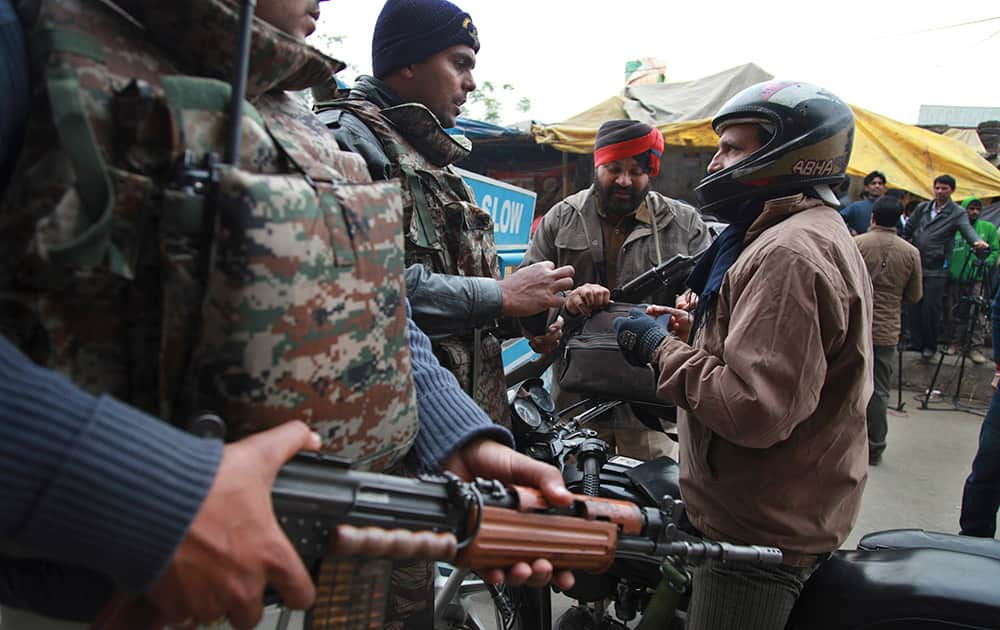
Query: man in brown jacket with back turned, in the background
{"x": 894, "y": 266}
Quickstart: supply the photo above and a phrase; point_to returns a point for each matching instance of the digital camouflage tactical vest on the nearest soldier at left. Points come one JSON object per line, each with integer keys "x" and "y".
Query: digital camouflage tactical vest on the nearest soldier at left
{"x": 267, "y": 292}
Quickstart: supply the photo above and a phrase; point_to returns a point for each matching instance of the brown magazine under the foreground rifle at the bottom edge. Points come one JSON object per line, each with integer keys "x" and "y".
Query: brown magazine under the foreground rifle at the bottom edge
{"x": 351, "y": 594}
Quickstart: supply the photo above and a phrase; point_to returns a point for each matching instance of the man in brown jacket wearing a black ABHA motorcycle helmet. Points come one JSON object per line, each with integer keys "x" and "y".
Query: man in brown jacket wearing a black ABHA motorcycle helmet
{"x": 778, "y": 370}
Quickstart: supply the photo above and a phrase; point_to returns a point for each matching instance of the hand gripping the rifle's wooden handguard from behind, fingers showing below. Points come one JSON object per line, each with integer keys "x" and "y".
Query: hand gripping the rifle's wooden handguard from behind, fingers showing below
{"x": 492, "y": 460}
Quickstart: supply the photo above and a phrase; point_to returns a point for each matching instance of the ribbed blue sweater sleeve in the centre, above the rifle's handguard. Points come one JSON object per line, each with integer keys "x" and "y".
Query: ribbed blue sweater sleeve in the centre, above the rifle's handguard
{"x": 449, "y": 418}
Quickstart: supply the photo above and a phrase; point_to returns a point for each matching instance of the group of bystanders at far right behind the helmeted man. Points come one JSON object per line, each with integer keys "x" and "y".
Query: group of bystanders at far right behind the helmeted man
{"x": 940, "y": 260}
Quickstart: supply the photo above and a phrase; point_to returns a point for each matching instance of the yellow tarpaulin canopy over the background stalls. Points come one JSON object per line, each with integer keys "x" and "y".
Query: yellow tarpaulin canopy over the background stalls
{"x": 910, "y": 157}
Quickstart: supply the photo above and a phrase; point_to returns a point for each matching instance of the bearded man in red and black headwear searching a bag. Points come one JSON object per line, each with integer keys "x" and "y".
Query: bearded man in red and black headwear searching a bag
{"x": 612, "y": 232}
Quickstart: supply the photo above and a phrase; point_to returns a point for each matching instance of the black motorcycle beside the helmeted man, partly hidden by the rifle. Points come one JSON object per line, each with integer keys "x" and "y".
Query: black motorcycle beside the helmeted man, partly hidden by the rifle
{"x": 898, "y": 579}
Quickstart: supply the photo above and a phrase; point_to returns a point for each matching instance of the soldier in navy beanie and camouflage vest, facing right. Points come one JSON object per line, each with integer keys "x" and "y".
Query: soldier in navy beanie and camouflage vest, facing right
{"x": 423, "y": 55}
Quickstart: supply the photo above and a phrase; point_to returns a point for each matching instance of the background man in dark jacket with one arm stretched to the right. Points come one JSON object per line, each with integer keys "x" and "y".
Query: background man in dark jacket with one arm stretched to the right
{"x": 932, "y": 229}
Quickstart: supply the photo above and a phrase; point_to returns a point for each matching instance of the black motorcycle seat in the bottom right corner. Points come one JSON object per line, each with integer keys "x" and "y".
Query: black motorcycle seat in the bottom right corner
{"x": 900, "y": 589}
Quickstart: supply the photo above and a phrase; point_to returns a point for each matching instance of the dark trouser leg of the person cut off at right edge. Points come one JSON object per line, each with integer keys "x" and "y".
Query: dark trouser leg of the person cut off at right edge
{"x": 981, "y": 496}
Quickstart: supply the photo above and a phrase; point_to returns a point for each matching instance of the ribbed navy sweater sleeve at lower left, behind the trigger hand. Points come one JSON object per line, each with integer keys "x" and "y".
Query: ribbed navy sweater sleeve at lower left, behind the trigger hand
{"x": 92, "y": 482}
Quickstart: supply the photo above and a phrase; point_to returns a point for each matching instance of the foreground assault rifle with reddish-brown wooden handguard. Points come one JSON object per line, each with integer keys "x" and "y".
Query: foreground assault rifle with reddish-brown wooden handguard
{"x": 325, "y": 509}
